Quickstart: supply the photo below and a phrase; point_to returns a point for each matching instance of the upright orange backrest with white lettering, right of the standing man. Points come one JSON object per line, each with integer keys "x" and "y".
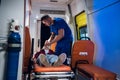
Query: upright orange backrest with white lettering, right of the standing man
{"x": 82, "y": 51}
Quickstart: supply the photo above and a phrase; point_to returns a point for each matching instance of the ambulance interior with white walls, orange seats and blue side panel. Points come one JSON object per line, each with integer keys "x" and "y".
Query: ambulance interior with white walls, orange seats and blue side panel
{"x": 95, "y": 49}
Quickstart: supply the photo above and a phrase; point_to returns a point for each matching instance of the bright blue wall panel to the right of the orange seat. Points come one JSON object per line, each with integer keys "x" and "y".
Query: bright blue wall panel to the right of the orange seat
{"x": 106, "y": 17}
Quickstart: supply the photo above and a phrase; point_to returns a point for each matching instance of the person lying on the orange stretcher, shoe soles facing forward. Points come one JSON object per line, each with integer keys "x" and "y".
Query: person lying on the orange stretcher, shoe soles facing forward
{"x": 46, "y": 57}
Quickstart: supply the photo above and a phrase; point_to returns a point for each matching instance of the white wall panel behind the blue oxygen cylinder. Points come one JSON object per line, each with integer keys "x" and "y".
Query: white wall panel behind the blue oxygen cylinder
{"x": 10, "y": 9}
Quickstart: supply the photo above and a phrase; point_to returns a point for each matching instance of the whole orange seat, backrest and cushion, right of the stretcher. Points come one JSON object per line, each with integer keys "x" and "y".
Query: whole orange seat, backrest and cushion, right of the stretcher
{"x": 82, "y": 63}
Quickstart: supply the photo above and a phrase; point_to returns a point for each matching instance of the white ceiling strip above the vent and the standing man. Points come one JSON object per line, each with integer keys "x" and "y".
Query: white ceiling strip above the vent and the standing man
{"x": 50, "y": 4}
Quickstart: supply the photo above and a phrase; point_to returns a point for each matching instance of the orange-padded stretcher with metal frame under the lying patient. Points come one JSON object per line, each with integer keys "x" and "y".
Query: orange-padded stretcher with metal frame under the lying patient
{"x": 52, "y": 72}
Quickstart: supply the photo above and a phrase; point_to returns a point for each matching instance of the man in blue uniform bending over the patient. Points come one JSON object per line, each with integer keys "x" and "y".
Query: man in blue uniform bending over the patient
{"x": 60, "y": 33}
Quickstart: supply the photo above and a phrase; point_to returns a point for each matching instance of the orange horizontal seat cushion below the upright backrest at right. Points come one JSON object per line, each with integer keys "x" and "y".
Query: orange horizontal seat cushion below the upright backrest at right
{"x": 96, "y": 73}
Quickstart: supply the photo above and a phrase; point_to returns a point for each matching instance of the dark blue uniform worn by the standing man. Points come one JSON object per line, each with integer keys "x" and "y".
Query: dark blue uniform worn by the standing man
{"x": 63, "y": 45}
